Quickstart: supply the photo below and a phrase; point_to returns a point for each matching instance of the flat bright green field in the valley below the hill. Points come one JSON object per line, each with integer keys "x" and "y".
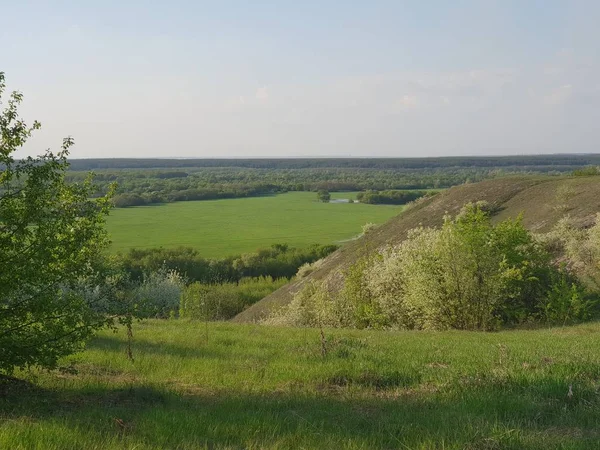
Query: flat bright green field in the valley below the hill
{"x": 219, "y": 228}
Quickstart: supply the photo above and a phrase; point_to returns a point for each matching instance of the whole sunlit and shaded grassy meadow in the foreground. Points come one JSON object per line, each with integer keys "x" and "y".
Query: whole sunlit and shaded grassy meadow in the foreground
{"x": 251, "y": 386}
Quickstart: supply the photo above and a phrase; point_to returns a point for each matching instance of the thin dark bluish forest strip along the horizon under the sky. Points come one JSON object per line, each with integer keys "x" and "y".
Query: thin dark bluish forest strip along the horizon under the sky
{"x": 557, "y": 160}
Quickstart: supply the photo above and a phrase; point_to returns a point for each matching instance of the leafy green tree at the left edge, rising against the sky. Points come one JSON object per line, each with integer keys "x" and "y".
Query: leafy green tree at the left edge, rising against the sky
{"x": 51, "y": 234}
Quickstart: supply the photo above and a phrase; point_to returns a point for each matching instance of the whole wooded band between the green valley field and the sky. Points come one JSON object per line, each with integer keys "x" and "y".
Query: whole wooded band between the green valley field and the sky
{"x": 147, "y": 181}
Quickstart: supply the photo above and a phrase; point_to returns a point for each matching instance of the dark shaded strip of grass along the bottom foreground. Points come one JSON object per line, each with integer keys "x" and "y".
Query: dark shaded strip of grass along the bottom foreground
{"x": 478, "y": 414}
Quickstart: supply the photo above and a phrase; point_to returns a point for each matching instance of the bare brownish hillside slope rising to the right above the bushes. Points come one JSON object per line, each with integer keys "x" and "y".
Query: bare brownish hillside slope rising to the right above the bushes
{"x": 541, "y": 200}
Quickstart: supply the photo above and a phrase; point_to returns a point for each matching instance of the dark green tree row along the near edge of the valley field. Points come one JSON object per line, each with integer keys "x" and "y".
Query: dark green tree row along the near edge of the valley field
{"x": 278, "y": 261}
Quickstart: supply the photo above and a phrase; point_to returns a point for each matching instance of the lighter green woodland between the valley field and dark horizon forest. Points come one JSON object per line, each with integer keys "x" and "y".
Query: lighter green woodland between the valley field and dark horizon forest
{"x": 137, "y": 187}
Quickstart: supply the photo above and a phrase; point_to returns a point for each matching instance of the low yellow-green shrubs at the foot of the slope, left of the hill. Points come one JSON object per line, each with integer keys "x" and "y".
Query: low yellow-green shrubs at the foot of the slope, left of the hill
{"x": 224, "y": 301}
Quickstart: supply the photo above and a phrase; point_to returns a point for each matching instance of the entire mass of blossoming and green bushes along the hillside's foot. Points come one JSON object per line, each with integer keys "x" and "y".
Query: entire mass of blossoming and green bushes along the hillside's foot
{"x": 467, "y": 275}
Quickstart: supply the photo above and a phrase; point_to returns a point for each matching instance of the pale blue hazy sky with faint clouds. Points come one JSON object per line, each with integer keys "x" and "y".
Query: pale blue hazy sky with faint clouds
{"x": 144, "y": 78}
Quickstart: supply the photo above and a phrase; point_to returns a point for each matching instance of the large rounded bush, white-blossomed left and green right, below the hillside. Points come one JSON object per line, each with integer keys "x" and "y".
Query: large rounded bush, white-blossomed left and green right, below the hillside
{"x": 467, "y": 275}
